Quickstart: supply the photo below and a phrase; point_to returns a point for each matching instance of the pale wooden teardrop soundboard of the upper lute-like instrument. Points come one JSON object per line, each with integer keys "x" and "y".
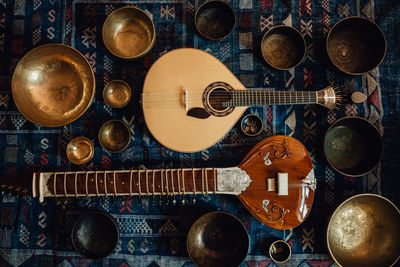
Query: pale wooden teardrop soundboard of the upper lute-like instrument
{"x": 175, "y": 84}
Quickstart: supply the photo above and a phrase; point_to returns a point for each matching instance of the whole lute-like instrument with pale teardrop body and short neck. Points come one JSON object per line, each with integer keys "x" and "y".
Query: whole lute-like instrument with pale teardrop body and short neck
{"x": 191, "y": 100}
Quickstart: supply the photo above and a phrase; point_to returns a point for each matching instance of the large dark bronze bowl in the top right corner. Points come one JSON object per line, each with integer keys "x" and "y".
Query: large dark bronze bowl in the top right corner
{"x": 356, "y": 45}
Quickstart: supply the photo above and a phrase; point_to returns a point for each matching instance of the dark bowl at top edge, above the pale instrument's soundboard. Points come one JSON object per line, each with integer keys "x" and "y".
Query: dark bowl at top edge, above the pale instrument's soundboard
{"x": 215, "y": 20}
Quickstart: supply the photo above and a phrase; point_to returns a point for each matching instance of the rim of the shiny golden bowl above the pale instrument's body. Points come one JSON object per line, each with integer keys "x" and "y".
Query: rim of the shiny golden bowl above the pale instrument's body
{"x": 153, "y": 40}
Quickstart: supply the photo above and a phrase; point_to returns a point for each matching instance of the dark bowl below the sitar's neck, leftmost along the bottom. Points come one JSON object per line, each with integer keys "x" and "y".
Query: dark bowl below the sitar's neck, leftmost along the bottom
{"x": 95, "y": 235}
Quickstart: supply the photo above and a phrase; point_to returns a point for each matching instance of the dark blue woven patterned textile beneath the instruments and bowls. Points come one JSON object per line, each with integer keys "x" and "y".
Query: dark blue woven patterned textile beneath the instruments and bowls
{"x": 34, "y": 234}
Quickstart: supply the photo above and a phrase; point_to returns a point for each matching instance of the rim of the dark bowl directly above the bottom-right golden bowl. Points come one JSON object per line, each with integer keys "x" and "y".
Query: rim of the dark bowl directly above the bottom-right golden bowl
{"x": 334, "y": 124}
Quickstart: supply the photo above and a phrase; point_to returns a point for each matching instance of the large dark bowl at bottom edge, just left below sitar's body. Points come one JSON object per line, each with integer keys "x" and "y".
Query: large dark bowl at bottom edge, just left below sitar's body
{"x": 217, "y": 239}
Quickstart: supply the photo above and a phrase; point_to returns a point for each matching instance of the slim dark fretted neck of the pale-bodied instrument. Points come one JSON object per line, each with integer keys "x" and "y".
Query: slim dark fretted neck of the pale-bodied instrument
{"x": 262, "y": 97}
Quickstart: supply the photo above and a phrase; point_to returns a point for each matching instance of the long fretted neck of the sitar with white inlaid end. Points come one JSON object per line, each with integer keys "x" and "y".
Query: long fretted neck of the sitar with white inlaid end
{"x": 163, "y": 182}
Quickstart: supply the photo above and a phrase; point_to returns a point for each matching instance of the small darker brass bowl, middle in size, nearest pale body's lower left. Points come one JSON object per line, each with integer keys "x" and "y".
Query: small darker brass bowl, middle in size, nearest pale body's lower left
{"x": 114, "y": 136}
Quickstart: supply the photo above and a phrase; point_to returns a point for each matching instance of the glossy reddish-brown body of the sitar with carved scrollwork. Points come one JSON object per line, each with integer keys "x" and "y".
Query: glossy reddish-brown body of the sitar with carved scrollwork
{"x": 285, "y": 155}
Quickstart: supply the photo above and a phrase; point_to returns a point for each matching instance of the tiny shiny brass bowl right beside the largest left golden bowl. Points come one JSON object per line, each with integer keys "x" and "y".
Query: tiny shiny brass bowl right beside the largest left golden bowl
{"x": 117, "y": 94}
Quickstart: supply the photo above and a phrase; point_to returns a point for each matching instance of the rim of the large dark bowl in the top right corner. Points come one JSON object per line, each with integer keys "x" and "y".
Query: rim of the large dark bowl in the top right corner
{"x": 373, "y": 23}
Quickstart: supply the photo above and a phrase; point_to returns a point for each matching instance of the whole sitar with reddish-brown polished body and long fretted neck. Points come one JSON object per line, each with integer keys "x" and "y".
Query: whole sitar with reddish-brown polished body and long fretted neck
{"x": 275, "y": 182}
